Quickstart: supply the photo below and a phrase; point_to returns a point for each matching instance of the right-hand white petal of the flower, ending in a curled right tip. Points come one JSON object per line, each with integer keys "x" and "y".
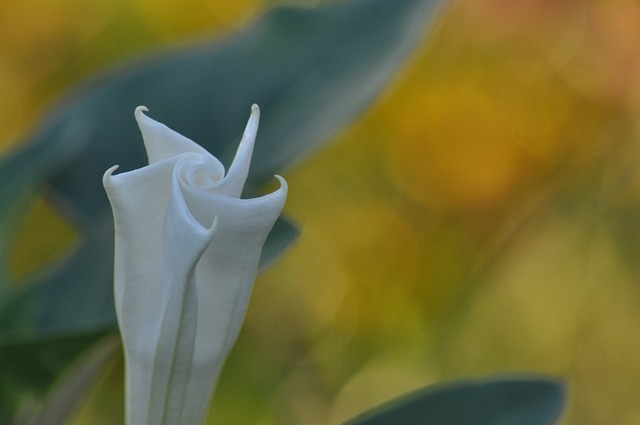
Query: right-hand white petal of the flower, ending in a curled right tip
{"x": 224, "y": 280}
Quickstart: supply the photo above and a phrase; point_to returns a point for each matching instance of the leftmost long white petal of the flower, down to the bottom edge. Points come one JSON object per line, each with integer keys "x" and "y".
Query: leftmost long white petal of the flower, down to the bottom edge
{"x": 139, "y": 199}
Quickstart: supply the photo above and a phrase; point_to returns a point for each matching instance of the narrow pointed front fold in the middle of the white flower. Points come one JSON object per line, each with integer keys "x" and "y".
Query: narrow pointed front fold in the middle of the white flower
{"x": 184, "y": 243}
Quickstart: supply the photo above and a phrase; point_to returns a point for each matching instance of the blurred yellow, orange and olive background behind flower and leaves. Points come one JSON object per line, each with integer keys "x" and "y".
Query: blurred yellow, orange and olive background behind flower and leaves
{"x": 482, "y": 217}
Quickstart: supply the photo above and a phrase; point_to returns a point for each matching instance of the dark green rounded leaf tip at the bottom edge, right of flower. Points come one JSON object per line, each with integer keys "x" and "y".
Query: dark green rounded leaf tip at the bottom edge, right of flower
{"x": 494, "y": 401}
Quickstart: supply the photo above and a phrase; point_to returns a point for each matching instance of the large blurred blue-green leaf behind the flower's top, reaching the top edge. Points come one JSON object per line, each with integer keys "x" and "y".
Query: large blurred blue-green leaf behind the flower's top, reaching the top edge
{"x": 312, "y": 71}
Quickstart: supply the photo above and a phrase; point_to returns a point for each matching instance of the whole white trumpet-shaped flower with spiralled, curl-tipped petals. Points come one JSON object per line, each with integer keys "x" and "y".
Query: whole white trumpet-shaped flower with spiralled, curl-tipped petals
{"x": 186, "y": 256}
